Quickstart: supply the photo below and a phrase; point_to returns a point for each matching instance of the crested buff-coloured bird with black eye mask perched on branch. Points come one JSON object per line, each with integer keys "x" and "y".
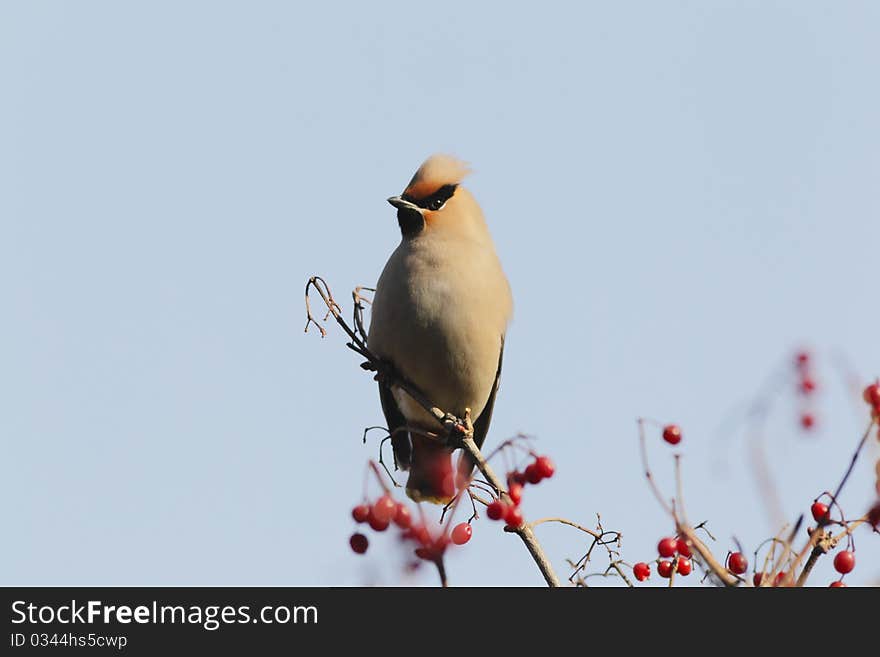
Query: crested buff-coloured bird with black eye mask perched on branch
{"x": 439, "y": 317}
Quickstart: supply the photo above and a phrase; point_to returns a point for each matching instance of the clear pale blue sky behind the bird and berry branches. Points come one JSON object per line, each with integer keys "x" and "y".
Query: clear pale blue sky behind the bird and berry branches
{"x": 682, "y": 193}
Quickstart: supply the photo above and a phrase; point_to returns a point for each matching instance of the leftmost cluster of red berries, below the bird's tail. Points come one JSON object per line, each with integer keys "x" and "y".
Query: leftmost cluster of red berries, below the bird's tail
{"x": 385, "y": 511}
